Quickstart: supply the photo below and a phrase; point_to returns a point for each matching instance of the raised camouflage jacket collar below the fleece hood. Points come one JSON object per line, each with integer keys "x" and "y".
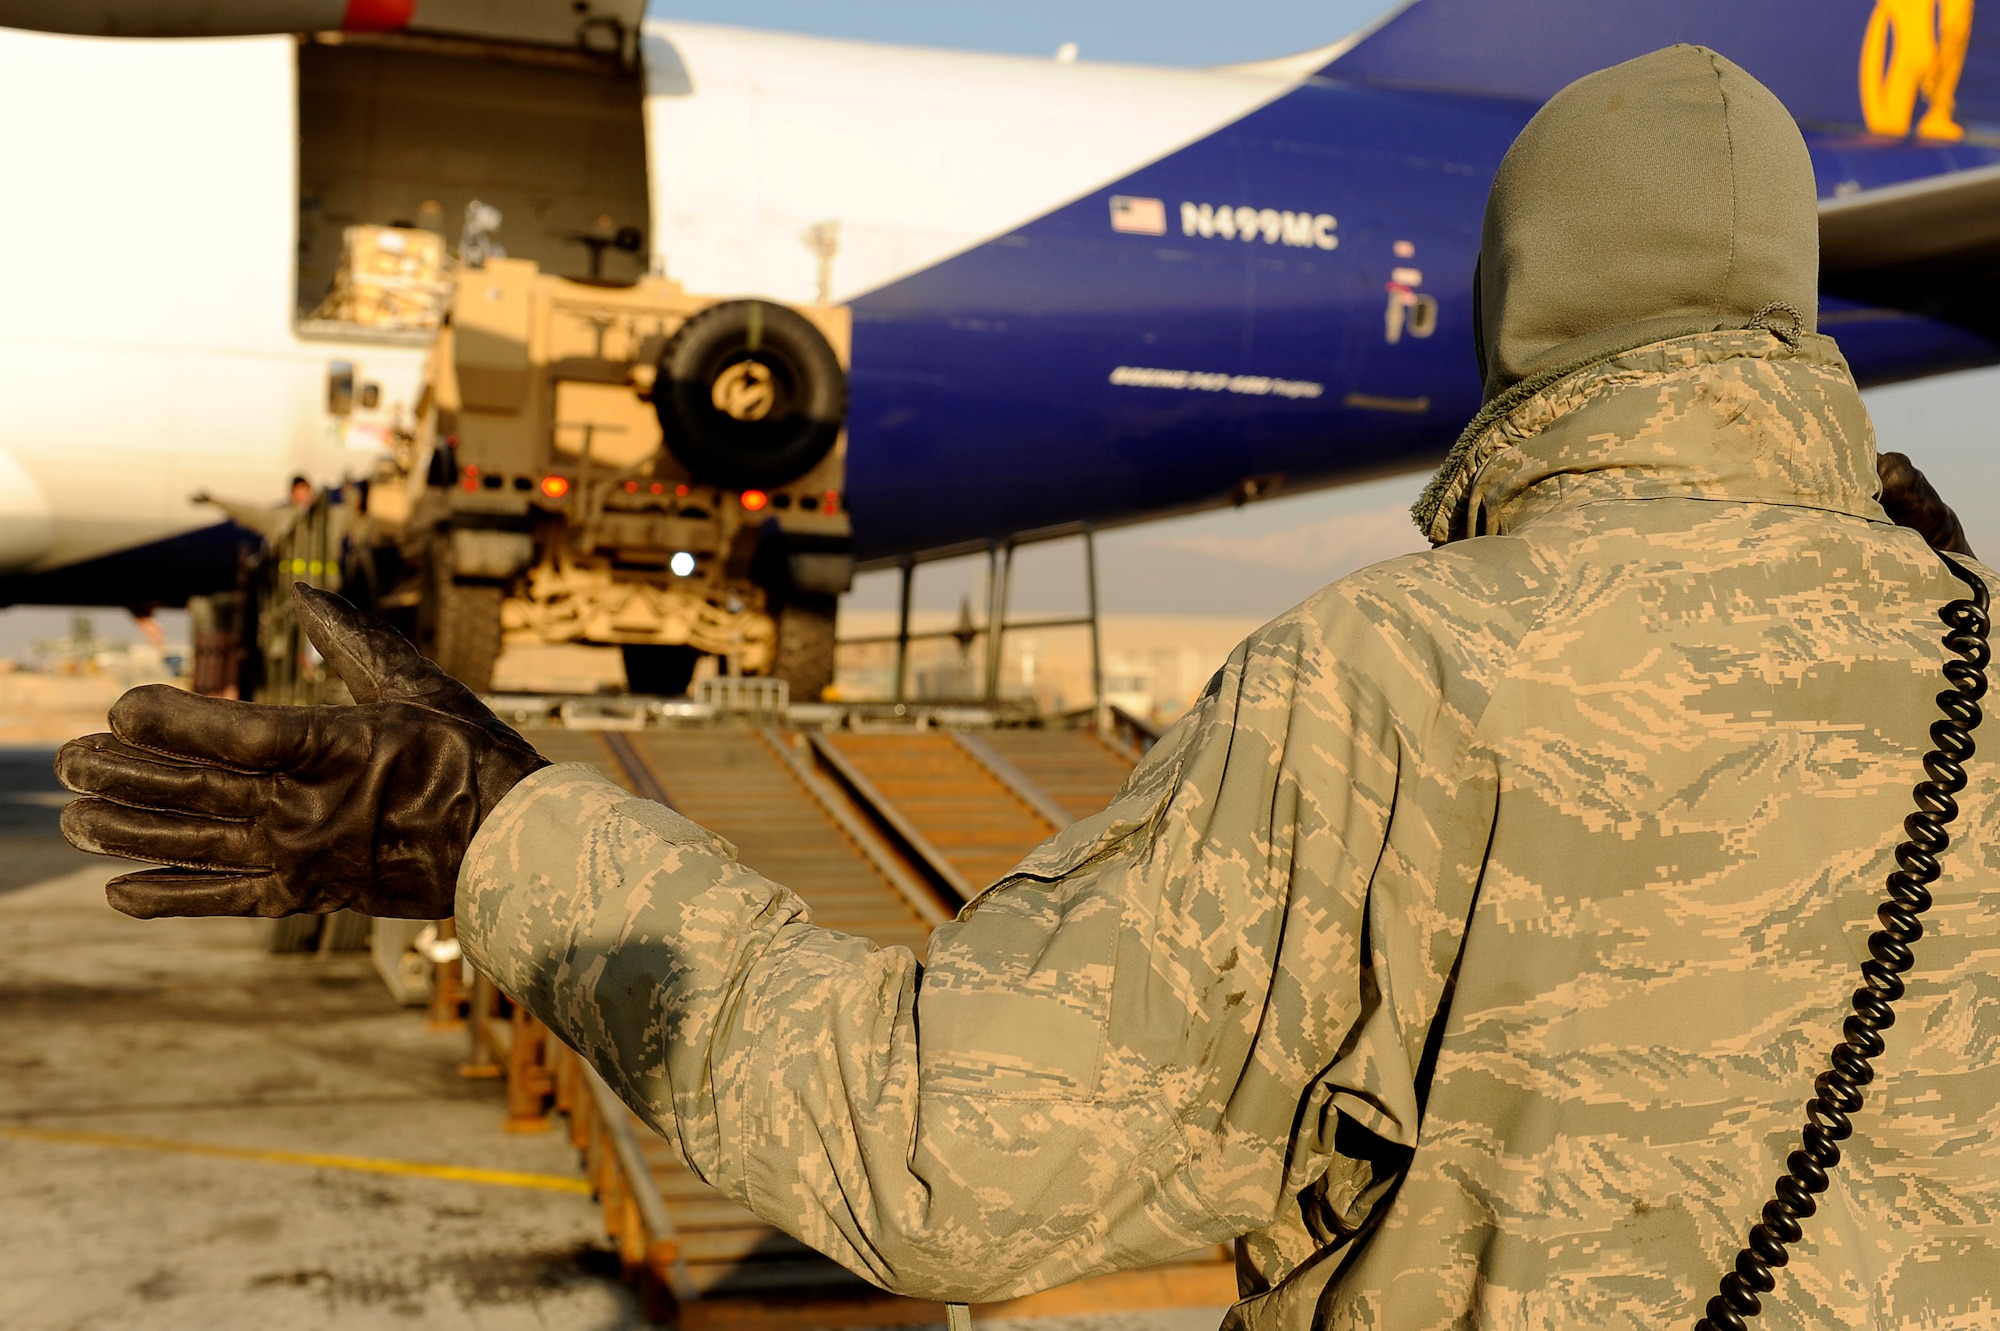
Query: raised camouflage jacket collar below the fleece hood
{"x": 1729, "y": 417}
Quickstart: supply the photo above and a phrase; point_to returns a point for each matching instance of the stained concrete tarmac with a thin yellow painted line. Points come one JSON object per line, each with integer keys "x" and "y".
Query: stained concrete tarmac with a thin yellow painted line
{"x": 123, "y": 1040}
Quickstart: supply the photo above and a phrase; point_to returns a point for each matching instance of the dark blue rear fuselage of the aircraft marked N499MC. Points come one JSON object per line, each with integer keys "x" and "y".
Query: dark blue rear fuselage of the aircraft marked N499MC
{"x": 1077, "y": 367}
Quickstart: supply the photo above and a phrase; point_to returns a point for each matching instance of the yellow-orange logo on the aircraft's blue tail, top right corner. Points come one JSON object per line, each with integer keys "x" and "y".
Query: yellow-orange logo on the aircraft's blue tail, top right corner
{"x": 1915, "y": 49}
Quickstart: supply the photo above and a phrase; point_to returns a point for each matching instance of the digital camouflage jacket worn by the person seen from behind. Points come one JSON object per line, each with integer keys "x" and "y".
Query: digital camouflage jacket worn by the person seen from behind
{"x": 1469, "y": 950}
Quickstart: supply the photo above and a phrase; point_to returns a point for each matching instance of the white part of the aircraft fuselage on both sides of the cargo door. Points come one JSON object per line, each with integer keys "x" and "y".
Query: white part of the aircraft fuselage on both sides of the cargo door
{"x": 151, "y": 343}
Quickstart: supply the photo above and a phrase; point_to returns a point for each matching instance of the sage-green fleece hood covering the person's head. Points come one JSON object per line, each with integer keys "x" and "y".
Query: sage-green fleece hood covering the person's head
{"x": 1657, "y": 199}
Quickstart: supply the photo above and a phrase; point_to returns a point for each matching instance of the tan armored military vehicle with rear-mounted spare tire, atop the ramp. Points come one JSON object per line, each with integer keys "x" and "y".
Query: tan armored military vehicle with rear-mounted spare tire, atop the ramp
{"x": 619, "y": 465}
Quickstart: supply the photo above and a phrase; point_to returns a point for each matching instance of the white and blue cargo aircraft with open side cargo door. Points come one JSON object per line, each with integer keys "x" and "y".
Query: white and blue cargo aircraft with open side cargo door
{"x": 1081, "y": 293}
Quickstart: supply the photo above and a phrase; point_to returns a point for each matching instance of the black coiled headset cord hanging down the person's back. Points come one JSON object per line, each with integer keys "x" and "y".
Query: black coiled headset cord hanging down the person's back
{"x": 1839, "y": 1090}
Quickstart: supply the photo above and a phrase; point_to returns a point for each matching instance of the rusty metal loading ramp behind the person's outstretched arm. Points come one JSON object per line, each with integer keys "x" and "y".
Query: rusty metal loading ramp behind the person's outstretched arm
{"x": 877, "y": 832}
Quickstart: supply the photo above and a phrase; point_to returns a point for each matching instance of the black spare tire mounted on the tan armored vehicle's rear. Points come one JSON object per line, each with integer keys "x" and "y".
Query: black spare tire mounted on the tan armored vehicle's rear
{"x": 749, "y": 395}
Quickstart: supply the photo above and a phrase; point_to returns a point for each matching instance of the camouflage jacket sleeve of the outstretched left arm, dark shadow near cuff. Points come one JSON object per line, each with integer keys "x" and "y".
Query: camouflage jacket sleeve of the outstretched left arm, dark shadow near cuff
{"x": 1099, "y": 1066}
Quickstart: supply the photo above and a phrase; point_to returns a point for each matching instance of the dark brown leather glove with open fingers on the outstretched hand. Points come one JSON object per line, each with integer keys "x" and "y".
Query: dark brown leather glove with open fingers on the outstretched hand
{"x": 267, "y": 810}
